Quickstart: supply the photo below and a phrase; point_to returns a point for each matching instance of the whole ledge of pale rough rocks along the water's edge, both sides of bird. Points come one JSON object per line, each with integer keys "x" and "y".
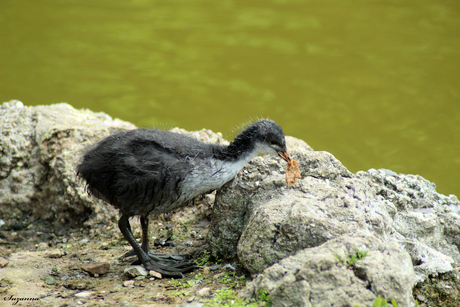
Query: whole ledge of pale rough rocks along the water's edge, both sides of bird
{"x": 334, "y": 239}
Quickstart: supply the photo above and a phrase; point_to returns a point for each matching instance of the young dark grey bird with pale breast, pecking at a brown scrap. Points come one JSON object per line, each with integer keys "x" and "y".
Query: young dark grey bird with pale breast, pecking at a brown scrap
{"x": 144, "y": 172}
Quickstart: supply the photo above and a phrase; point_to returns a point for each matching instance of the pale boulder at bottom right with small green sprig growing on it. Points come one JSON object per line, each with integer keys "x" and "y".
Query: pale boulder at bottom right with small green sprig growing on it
{"x": 323, "y": 276}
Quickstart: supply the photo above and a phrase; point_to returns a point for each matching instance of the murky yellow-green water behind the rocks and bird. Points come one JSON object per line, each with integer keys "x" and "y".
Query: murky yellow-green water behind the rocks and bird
{"x": 376, "y": 83}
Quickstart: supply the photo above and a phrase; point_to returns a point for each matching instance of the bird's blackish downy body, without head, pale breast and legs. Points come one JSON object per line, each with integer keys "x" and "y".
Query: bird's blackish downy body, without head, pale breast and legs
{"x": 140, "y": 171}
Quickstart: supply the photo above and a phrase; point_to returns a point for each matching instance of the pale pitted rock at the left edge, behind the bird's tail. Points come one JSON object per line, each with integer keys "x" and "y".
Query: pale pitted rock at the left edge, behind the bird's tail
{"x": 40, "y": 148}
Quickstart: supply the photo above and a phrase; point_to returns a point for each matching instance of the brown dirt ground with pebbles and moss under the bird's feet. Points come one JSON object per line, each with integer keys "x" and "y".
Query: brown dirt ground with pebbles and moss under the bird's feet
{"x": 45, "y": 265}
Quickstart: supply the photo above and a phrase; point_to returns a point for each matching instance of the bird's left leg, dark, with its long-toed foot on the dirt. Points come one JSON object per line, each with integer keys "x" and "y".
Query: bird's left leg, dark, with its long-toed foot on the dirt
{"x": 151, "y": 262}
